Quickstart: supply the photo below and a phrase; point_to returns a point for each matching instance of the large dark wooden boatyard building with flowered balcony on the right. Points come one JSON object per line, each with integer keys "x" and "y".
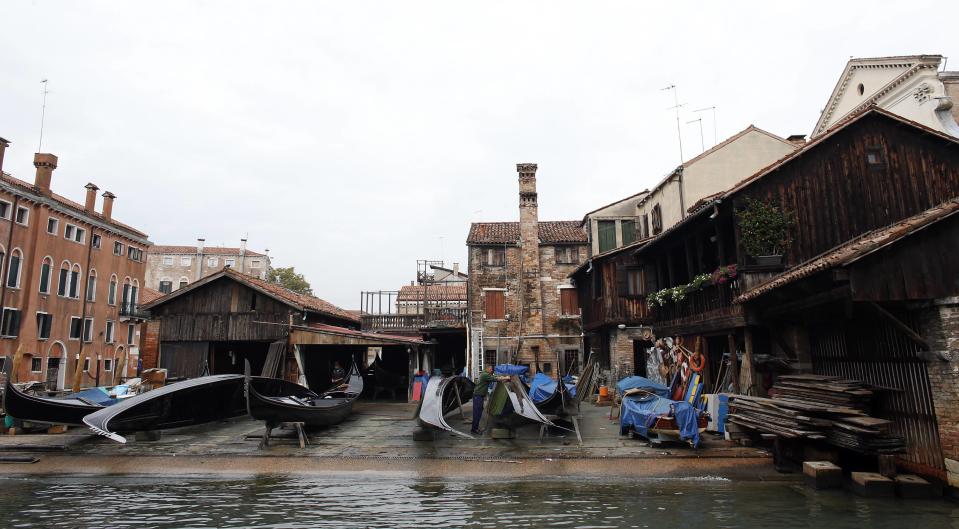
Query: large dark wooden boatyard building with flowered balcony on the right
{"x": 867, "y": 287}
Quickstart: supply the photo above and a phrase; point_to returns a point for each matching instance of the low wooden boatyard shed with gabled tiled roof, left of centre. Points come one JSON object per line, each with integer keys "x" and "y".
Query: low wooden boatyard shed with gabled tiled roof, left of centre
{"x": 216, "y": 324}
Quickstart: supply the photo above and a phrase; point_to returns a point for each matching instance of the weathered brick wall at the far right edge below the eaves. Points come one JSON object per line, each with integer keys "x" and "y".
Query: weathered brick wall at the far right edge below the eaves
{"x": 940, "y": 327}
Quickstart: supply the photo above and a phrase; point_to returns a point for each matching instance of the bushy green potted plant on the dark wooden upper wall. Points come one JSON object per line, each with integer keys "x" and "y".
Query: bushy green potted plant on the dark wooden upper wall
{"x": 764, "y": 230}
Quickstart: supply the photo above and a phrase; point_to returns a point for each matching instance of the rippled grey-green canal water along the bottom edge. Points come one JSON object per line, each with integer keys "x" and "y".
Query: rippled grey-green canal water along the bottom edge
{"x": 368, "y": 502}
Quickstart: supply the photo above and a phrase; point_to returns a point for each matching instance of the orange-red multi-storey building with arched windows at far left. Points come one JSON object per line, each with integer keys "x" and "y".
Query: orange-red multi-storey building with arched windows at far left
{"x": 71, "y": 277}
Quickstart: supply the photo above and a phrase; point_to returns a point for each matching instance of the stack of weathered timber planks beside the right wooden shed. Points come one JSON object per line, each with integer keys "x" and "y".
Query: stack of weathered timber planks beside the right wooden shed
{"x": 814, "y": 407}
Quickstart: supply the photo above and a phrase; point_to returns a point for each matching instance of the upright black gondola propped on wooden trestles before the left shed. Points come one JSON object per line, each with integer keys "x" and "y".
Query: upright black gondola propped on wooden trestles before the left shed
{"x": 276, "y": 401}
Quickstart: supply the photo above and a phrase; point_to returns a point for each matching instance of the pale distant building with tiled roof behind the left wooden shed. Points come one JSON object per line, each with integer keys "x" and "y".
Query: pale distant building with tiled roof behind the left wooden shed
{"x": 172, "y": 267}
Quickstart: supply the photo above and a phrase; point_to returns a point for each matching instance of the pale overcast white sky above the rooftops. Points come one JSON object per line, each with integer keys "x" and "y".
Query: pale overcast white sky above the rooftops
{"x": 353, "y": 138}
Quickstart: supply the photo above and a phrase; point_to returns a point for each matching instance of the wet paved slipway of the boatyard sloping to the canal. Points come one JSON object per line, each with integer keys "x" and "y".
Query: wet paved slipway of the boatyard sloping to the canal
{"x": 379, "y": 437}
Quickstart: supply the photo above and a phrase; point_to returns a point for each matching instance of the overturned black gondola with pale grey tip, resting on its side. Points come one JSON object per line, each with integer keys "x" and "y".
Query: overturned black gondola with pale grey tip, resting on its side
{"x": 195, "y": 401}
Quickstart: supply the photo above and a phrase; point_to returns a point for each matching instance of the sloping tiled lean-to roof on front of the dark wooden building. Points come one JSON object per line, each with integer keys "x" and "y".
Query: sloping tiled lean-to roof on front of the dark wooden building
{"x": 852, "y": 251}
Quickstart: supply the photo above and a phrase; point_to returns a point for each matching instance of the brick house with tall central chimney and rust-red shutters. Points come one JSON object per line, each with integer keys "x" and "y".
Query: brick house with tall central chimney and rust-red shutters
{"x": 523, "y": 307}
